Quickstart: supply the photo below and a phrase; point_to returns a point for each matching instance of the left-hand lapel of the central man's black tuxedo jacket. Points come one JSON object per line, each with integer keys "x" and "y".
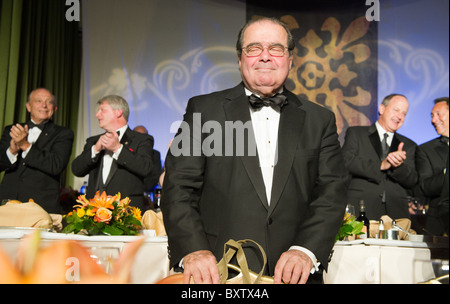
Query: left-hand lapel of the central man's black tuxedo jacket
{"x": 237, "y": 109}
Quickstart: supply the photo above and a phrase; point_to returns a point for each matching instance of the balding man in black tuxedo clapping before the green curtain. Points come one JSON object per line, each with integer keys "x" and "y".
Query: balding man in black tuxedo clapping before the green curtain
{"x": 33, "y": 155}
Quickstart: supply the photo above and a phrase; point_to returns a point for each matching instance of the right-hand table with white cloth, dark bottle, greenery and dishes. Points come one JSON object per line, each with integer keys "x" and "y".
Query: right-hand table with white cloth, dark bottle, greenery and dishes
{"x": 391, "y": 253}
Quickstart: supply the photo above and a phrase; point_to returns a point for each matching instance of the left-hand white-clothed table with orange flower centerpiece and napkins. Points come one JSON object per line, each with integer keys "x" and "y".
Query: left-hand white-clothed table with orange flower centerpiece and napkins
{"x": 104, "y": 240}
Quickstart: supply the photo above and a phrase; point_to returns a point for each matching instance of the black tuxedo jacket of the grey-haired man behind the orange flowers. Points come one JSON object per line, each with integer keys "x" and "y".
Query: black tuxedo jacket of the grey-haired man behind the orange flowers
{"x": 127, "y": 173}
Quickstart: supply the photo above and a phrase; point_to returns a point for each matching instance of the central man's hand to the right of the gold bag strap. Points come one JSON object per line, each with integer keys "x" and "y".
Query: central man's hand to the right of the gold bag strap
{"x": 293, "y": 267}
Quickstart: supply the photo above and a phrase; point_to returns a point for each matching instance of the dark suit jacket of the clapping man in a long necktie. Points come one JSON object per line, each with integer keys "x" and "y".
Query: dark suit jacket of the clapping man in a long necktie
{"x": 362, "y": 150}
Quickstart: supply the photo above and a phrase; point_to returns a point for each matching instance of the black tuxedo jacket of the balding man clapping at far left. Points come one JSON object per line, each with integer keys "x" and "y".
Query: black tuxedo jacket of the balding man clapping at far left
{"x": 38, "y": 175}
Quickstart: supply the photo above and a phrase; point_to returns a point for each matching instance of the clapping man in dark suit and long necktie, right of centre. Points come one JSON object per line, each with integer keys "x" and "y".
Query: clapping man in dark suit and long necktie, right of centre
{"x": 381, "y": 162}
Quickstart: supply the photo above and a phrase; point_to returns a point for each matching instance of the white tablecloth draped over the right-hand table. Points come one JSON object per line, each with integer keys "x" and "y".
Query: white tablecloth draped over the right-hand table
{"x": 374, "y": 261}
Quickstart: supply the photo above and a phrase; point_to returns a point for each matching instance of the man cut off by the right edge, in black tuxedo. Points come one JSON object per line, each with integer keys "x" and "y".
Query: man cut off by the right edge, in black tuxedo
{"x": 431, "y": 161}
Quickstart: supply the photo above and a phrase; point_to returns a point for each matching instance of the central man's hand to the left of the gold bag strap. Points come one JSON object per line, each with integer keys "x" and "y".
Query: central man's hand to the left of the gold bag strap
{"x": 202, "y": 266}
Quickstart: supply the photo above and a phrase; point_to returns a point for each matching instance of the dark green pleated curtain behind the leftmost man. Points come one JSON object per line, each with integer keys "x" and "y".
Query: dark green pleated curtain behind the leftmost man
{"x": 39, "y": 48}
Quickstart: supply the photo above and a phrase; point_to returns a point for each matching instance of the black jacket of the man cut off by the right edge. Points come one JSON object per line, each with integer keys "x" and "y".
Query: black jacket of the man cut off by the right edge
{"x": 431, "y": 160}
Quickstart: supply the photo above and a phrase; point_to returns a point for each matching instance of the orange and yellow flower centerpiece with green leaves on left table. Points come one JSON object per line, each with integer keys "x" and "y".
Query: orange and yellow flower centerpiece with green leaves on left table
{"x": 103, "y": 214}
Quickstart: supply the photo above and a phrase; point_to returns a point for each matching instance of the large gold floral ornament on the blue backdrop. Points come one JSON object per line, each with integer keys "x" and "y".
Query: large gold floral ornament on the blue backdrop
{"x": 315, "y": 73}
